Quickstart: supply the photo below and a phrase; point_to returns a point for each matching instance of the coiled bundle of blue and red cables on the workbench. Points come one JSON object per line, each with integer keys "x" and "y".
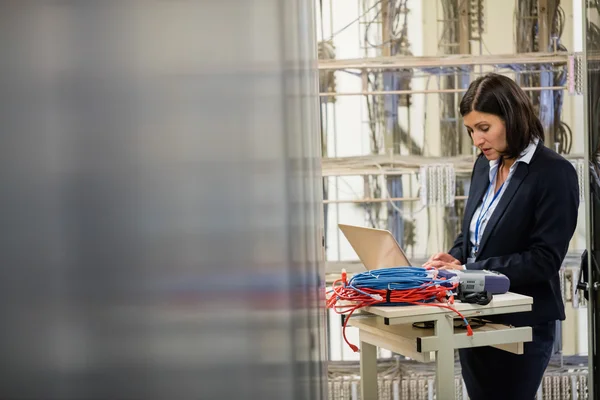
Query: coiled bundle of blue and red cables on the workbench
{"x": 392, "y": 287}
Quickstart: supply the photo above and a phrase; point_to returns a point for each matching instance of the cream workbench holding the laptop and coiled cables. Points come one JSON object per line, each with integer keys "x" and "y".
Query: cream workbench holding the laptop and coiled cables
{"x": 391, "y": 328}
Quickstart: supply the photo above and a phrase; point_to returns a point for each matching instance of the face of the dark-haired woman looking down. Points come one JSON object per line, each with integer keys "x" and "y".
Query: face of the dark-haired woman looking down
{"x": 488, "y": 133}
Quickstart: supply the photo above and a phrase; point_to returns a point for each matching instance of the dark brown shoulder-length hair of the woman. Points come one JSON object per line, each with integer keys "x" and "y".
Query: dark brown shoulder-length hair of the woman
{"x": 501, "y": 96}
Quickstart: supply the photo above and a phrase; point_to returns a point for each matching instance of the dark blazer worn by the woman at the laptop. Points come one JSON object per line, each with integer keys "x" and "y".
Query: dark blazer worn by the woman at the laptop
{"x": 528, "y": 234}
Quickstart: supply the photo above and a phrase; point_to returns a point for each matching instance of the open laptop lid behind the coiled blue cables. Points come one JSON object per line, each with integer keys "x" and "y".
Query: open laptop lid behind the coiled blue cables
{"x": 376, "y": 248}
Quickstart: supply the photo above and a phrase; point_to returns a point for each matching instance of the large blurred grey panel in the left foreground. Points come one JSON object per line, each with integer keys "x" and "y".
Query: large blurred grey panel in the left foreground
{"x": 160, "y": 207}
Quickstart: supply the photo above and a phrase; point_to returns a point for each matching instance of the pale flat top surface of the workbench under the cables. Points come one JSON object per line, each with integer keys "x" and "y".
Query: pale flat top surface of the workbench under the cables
{"x": 500, "y": 304}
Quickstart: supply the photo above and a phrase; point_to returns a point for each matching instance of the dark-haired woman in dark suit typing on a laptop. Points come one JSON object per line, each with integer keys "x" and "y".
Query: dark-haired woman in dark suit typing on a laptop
{"x": 520, "y": 216}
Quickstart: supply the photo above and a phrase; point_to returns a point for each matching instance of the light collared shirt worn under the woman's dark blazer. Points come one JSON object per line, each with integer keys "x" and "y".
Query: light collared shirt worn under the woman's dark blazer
{"x": 525, "y": 157}
